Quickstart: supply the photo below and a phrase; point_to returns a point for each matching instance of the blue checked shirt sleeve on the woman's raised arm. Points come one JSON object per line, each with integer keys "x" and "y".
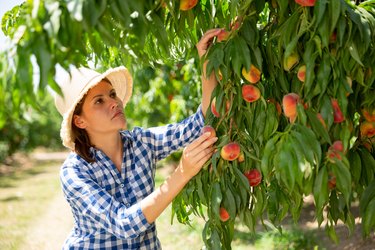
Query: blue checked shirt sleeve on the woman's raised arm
{"x": 167, "y": 139}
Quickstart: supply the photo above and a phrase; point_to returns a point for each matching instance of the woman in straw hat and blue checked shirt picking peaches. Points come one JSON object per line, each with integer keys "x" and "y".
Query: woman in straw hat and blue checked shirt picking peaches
{"x": 108, "y": 179}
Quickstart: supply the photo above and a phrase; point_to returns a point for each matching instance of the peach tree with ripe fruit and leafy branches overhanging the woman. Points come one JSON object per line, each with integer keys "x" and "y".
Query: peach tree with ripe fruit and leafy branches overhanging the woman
{"x": 294, "y": 109}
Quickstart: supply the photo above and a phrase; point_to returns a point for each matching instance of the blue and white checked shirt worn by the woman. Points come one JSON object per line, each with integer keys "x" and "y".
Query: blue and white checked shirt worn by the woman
{"x": 106, "y": 203}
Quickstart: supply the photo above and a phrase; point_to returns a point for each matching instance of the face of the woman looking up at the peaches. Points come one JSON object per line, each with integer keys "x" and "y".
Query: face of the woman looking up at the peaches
{"x": 102, "y": 111}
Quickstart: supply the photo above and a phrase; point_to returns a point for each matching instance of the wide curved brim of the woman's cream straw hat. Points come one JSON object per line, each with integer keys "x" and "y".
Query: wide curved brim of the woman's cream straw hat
{"x": 121, "y": 81}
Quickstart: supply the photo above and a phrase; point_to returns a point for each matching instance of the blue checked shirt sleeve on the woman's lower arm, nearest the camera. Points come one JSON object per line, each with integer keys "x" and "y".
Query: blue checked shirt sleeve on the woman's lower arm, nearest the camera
{"x": 92, "y": 204}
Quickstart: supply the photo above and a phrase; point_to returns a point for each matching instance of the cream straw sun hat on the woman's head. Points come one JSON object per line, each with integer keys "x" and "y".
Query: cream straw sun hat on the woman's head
{"x": 75, "y": 87}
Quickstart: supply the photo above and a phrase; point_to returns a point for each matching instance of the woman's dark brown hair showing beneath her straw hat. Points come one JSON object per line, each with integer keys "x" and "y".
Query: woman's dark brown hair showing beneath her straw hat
{"x": 81, "y": 137}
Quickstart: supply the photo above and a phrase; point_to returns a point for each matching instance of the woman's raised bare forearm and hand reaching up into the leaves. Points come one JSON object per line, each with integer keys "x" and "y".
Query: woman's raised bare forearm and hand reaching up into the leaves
{"x": 208, "y": 82}
